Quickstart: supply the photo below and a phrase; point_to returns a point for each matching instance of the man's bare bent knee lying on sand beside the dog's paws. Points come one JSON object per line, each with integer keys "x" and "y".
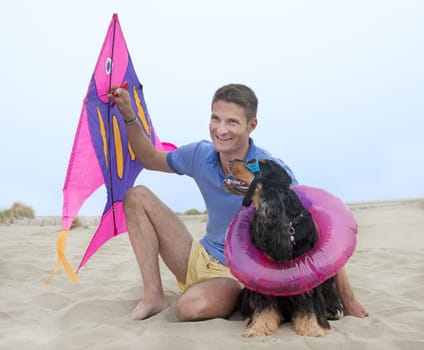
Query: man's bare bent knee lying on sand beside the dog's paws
{"x": 211, "y": 298}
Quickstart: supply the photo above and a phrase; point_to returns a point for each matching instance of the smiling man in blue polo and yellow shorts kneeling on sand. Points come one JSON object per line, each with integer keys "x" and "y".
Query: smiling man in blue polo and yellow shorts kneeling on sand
{"x": 208, "y": 288}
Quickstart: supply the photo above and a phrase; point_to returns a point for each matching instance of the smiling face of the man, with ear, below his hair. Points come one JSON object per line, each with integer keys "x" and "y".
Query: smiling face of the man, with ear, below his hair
{"x": 229, "y": 129}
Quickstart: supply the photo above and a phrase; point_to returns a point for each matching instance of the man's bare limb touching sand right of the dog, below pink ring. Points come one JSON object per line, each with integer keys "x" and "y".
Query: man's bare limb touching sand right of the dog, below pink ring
{"x": 352, "y": 306}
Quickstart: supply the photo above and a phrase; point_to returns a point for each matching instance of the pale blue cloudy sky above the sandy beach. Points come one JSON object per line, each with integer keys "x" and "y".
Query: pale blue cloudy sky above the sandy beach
{"x": 340, "y": 87}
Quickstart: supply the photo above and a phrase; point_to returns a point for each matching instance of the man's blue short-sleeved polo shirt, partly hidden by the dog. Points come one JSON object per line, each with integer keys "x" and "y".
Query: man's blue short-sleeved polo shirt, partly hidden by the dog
{"x": 201, "y": 162}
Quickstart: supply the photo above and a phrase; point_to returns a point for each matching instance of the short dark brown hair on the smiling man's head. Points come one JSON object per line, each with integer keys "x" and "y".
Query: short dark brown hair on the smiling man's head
{"x": 241, "y": 95}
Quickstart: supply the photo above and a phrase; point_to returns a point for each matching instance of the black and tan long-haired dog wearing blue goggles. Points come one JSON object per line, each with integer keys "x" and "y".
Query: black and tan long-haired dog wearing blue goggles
{"x": 283, "y": 229}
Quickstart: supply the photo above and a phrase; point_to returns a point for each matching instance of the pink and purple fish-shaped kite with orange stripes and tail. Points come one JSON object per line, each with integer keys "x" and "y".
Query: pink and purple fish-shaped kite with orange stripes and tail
{"x": 101, "y": 153}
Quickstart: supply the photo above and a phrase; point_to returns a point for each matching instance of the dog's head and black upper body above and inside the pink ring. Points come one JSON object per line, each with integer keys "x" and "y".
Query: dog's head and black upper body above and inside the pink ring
{"x": 281, "y": 227}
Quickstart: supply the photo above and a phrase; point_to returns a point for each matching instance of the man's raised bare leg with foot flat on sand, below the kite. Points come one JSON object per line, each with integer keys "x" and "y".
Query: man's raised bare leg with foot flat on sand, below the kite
{"x": 154, "y": 229}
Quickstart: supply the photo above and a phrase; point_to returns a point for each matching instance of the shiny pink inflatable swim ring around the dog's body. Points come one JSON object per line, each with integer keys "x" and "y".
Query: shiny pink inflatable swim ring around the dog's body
{"x": 335, "y": 245}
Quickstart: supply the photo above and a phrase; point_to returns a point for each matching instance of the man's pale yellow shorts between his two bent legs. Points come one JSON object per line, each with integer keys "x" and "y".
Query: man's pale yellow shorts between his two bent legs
{"x": 202, "y": 266}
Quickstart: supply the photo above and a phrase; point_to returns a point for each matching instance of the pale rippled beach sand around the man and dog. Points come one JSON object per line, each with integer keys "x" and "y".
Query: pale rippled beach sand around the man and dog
{"x": 386, "y": 271}
